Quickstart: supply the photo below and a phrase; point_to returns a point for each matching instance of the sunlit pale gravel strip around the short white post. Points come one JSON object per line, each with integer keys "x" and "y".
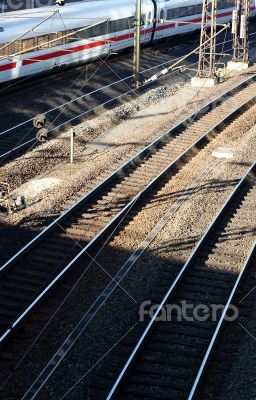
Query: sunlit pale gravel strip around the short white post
{"x": 101, "y": 145}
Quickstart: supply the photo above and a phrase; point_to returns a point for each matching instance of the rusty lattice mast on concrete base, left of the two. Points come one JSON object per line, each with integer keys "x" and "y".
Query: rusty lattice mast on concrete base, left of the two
{"x": 207, "y": 52}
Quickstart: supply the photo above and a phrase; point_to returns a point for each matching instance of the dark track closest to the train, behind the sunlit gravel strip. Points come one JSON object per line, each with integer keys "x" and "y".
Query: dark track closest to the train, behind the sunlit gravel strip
{"x": 22, "y": 136}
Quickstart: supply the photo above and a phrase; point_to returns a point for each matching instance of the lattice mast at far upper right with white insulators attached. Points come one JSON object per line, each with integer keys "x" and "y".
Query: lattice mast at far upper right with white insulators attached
{"x": 240, "y": 31}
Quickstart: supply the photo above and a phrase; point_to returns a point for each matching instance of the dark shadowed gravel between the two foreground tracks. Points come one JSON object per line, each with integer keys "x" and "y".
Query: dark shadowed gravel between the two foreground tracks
{"x": 98, "y": 353}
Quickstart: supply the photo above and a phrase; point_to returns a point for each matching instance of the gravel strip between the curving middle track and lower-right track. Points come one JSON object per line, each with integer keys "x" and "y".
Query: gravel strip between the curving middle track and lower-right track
{"x": 121, "y": 312}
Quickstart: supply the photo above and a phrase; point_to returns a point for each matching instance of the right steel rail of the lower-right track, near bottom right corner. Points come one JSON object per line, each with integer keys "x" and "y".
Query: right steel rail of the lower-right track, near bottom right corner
{"x": 215, "y": 336}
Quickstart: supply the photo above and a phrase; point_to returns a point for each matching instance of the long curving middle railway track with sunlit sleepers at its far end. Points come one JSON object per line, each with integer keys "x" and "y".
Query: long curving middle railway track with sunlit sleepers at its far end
{"x": 30, "y": 275}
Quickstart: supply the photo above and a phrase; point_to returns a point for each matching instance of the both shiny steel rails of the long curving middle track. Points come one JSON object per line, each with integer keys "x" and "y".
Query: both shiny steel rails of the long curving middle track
{"x": 140, "y": 156}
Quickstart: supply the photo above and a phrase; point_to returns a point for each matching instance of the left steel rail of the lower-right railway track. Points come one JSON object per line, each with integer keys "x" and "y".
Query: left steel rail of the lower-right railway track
{"x": 121, "y": 377}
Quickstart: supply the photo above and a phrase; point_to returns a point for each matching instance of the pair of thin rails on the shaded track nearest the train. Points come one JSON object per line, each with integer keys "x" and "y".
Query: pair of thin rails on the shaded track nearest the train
{"x": 20, "y": 146}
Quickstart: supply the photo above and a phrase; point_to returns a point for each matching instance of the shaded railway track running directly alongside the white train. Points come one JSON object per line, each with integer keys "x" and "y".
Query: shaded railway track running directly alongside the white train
{"x": 85, "y": 100}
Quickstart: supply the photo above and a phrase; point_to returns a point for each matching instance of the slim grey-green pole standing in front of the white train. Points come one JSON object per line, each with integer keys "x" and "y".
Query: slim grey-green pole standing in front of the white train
{"x": 137, "y": 35}
